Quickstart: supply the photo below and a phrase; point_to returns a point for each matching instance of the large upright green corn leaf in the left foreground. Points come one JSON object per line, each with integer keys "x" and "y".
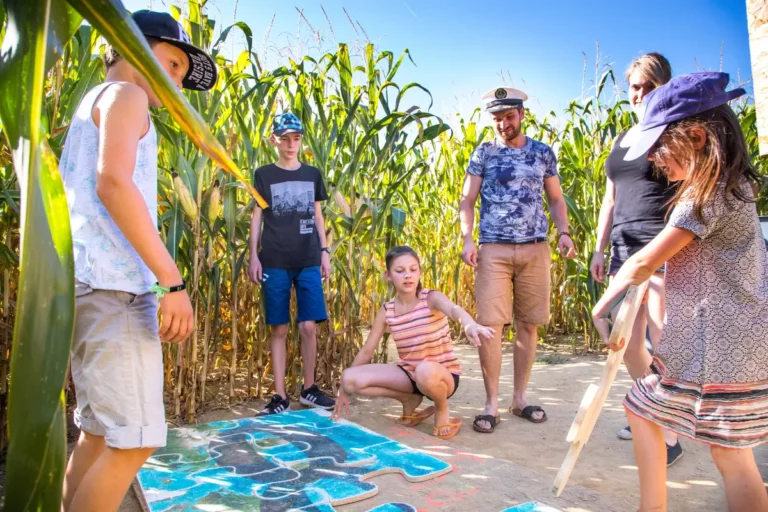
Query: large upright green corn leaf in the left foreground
{"x": 45, "y": 304}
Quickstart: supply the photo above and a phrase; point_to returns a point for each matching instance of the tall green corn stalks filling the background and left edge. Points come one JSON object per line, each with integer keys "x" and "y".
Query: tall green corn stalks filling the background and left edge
{"x": 393, "y": 171}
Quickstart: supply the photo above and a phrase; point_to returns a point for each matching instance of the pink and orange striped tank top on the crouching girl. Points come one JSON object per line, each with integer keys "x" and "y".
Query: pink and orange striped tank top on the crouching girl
{"x": 421, "y": 335}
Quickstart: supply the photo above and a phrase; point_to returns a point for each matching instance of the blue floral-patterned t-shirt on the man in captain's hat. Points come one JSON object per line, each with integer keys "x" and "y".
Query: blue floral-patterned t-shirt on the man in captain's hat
{"x": 511, "y": 203}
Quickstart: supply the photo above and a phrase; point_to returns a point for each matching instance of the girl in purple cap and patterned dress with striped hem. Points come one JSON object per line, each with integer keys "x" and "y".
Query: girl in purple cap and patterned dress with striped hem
{"x": 709, "y": 377}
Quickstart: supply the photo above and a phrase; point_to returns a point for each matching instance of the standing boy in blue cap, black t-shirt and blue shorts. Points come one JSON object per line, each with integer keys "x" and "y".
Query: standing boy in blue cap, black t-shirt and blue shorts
{"x": 290, "y": 251}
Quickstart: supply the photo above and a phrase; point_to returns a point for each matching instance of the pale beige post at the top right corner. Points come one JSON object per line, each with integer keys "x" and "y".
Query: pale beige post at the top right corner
{"x": 757, "y": 24}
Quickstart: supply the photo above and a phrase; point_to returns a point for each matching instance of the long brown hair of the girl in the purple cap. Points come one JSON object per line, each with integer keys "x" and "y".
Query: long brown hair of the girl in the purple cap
{"x": 724, "y": 159}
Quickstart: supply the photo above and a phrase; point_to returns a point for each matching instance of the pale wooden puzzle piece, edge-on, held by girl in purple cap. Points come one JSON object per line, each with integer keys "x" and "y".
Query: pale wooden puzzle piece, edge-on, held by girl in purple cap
{"x": 594, "y": 398}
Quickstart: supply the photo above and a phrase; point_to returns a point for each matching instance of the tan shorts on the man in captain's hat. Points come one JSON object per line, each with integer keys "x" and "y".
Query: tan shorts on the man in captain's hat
{"x": 504, "y": 269}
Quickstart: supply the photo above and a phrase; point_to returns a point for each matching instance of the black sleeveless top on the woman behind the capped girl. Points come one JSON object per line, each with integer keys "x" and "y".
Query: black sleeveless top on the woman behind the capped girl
{"x": 642, "y": 196}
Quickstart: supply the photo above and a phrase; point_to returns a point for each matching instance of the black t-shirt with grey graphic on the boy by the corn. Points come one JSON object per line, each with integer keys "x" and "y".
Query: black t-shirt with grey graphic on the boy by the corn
{"x": 289, "y": 238}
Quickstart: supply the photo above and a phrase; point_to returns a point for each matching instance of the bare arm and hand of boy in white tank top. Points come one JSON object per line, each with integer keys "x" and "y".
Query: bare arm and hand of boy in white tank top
{"x": 122, "y": 116}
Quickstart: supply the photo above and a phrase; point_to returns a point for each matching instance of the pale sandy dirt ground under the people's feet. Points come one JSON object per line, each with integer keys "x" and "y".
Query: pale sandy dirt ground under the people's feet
{"x": 519, "y": 461}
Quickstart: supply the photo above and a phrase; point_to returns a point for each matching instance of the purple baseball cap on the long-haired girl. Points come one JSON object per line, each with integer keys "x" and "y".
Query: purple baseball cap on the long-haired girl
{"x": 682, "y": 97}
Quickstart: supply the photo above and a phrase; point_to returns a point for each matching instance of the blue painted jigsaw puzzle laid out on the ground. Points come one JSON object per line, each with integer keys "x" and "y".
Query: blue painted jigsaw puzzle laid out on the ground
{"x": 299, "y": 460}
